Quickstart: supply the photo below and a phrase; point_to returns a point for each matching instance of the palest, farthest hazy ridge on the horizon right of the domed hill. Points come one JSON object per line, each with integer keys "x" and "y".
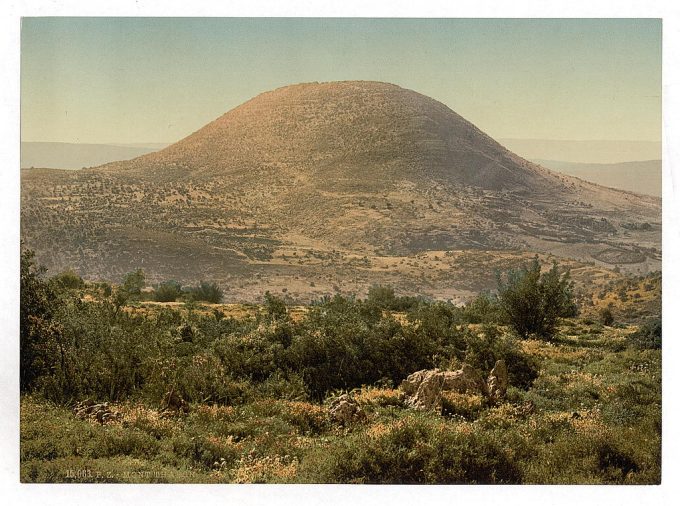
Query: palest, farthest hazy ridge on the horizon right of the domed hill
{"x": 605, "y": 151}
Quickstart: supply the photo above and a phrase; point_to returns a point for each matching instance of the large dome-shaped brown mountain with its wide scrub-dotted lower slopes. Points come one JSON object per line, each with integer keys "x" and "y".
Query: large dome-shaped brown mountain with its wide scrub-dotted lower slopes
{"x": 318, "y": 187}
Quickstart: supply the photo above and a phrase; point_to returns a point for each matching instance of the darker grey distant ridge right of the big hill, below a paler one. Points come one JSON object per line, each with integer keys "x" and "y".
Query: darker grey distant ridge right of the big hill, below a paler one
{"x": 639, "y": 176}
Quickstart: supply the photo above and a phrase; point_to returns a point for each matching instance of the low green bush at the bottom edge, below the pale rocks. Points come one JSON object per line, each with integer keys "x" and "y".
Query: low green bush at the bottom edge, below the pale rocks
{"x": 415, "y": 450}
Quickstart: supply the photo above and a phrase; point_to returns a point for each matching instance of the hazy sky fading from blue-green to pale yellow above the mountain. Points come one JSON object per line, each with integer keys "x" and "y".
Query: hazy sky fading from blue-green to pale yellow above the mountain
{"x": 126, "y": 80}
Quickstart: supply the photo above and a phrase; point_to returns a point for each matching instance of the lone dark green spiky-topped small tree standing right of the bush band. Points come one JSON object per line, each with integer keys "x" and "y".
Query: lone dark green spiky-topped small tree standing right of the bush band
{"x": 532, "y": 302}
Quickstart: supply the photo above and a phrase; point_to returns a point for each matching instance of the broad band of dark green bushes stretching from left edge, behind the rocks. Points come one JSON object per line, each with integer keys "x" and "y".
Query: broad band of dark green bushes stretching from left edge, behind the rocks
{"x": 96, "y": 349}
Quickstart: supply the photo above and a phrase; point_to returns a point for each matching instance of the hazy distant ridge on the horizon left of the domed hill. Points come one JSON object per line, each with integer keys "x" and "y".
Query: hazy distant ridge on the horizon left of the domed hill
{"x": 63, "y": 155}
